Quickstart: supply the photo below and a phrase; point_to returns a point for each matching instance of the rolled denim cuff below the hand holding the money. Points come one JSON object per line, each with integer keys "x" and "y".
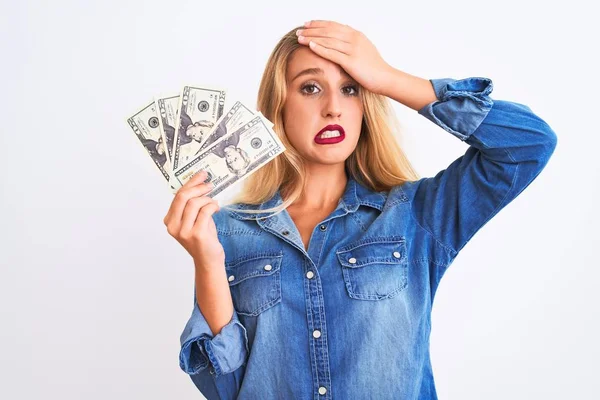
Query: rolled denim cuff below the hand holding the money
{"x": 224, "y": 352}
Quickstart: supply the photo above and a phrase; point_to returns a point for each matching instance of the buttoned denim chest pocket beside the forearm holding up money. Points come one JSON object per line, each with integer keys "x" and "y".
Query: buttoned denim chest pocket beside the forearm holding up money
{"x": 255, "y": 282}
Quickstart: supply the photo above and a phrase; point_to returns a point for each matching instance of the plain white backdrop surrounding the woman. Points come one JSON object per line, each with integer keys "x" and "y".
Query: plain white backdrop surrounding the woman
{"x": 94, "y": 293}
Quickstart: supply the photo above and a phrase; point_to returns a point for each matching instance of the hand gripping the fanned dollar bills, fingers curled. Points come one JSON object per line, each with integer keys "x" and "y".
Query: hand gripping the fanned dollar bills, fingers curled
{"x": 189, "y": 220}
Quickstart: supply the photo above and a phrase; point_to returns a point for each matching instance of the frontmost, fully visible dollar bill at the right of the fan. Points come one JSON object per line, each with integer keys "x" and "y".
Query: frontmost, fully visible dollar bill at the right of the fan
{"x": 235, "y": 156}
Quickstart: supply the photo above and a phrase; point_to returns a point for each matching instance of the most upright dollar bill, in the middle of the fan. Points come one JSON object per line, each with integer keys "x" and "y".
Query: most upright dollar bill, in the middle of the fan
{"x": 199, "y": 110}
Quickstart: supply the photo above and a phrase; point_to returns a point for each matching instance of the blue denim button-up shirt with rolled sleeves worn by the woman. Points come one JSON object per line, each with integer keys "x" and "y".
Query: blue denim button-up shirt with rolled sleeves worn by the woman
{"x": 350, "y": 317}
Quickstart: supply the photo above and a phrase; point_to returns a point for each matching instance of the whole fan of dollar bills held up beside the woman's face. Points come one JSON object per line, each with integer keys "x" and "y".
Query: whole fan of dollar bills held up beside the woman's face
{"x": 188, "y": 133}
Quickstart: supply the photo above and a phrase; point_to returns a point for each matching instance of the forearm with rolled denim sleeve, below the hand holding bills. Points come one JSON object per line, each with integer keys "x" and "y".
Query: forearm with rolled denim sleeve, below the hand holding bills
{"x": 215, "y": 362}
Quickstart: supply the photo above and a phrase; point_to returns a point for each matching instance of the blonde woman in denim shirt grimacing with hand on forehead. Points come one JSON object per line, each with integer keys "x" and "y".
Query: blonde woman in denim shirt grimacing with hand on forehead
{"x": 319, "y": 283}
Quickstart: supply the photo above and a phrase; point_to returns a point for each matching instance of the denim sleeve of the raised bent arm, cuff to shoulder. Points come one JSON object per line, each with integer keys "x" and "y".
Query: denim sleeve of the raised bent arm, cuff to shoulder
{"x": 509, "y": 146}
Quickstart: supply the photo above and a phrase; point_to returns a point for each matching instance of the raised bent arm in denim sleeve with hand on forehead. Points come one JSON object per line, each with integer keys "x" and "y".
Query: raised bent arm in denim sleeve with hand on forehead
{"x": 508, "y": 144}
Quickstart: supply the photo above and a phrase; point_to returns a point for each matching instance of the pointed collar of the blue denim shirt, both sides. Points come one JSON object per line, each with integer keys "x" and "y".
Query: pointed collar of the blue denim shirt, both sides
{"x": 354, "y": 196}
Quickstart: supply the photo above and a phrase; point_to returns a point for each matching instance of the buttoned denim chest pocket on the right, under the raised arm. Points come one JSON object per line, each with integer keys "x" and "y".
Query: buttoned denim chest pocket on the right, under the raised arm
{"x": 374, "y": 268}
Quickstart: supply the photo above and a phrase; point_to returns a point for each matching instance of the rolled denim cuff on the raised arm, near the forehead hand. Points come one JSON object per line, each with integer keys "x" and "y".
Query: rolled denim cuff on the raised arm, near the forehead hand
{"x": 461, "y": 105}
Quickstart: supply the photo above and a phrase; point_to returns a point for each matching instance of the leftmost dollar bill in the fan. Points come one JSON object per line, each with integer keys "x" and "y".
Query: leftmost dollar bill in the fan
{"x": 145, "y": 124}
